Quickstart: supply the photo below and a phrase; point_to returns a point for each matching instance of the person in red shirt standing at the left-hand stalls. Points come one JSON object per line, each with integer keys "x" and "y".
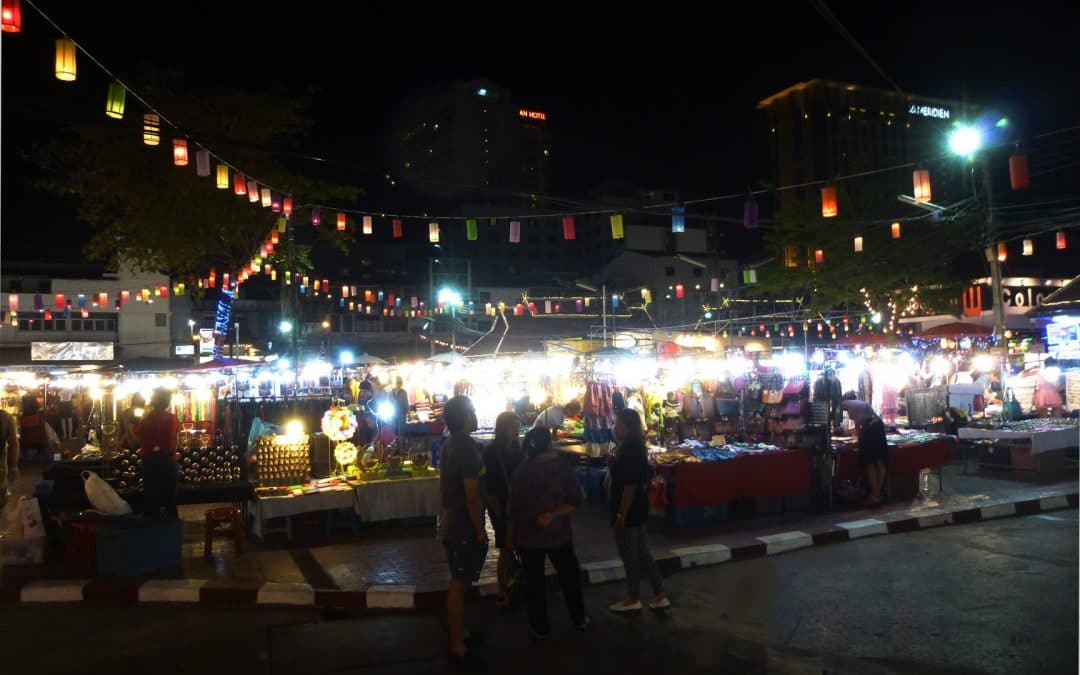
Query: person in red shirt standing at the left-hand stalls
{"x": 157, "y": 437}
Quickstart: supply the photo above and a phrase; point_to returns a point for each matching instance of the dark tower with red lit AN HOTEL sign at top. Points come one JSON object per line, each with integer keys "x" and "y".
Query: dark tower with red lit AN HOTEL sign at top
{"x": 470, "y": 143}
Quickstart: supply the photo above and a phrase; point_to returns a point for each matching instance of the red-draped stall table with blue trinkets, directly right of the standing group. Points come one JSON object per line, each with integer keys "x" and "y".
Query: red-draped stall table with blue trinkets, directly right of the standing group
{"x": 700, "y": 476}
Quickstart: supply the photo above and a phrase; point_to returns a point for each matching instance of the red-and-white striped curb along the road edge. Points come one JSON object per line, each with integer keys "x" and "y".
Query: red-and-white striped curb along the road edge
{"x": 404, "y": 597}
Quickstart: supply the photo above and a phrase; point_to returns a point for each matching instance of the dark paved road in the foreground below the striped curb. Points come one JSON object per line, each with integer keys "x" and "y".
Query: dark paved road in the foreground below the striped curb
{"x": 994, "y": 598}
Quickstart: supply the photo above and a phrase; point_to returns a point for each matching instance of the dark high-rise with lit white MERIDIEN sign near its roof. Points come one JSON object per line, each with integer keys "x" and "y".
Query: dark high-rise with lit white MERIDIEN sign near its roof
{"x": 820, "y": 130}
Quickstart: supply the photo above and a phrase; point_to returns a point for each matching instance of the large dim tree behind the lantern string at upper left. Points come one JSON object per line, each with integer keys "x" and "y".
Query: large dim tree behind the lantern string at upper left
{"x": 157, "y": 217}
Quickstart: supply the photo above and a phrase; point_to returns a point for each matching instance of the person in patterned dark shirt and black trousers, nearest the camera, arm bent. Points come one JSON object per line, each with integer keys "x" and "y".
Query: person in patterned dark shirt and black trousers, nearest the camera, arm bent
{"x": 544, "y": 493}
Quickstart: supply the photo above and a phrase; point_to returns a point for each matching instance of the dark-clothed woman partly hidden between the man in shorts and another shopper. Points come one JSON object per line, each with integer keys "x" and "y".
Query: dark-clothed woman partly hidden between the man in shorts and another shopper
{"x": 502, "y": 461}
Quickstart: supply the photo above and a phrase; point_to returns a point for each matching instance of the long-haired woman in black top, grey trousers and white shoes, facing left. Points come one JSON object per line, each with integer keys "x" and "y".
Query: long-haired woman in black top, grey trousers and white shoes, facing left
{"x": 630, "y": 510}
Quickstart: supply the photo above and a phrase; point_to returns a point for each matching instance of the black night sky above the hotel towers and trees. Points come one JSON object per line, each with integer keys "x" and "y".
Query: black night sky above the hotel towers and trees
{"x": 664, "y": 99}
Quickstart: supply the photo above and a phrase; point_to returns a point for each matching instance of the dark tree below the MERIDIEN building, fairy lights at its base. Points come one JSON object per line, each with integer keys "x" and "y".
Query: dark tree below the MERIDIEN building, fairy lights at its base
{"x": 921, "y": 267}
